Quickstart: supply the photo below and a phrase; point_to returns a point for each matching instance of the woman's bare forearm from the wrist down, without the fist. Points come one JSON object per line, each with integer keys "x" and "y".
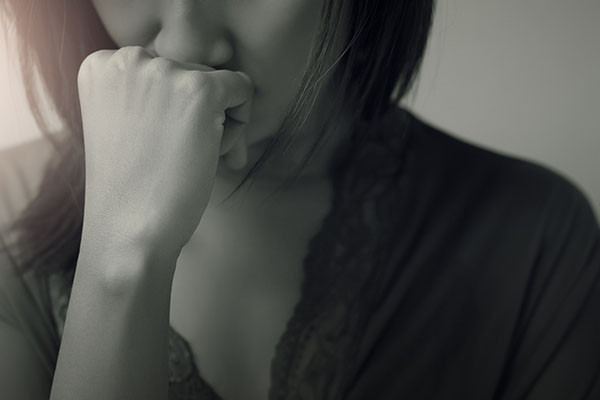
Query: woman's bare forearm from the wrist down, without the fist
{"x": 115, "y": 340}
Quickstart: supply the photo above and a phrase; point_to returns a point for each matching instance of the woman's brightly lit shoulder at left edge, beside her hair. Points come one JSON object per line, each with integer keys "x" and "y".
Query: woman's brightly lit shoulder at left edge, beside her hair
{"x": 21, "y": 170}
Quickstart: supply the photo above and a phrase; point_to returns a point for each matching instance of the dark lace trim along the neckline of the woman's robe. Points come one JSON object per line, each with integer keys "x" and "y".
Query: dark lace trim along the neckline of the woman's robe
{"x": 346, "y": 269}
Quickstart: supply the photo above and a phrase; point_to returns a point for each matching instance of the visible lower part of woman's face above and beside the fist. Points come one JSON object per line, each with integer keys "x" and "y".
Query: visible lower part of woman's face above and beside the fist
{"x": 267, "y": 39}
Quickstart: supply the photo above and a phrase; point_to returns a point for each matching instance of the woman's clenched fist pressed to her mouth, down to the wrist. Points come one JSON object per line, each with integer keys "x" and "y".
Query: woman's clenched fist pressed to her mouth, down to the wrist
{"x": 154, "y": 130}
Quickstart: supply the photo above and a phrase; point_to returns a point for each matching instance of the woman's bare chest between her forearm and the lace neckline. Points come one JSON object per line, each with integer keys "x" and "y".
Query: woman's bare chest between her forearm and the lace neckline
{"x": 236, "y": 285}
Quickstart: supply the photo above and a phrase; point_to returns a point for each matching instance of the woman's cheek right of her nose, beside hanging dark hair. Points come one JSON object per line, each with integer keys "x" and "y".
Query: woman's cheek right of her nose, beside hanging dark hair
{"x": 273, "y": 40}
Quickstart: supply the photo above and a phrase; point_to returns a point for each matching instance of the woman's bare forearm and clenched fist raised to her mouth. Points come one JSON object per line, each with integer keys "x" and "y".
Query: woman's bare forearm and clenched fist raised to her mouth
{"x": 153, "y": 129}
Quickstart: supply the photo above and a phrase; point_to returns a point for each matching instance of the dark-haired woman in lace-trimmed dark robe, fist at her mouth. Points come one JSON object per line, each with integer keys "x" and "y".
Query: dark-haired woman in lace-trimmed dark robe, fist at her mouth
{"x": 254, "y": 218}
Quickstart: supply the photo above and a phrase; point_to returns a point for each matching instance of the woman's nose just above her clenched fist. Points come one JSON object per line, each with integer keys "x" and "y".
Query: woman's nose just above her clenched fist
{"x": 192, "y": 31}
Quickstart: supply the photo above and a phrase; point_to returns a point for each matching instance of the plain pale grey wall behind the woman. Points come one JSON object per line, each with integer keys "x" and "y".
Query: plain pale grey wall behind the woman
{"x": 520, "y": 77}
